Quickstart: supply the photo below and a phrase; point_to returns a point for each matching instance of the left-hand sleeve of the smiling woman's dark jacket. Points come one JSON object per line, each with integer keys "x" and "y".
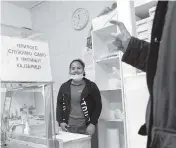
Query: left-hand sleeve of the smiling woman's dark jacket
{"x": 59, "y": 106}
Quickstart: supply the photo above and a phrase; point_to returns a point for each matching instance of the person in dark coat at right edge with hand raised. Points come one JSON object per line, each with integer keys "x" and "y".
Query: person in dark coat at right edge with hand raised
{"x": 158, "y": 60}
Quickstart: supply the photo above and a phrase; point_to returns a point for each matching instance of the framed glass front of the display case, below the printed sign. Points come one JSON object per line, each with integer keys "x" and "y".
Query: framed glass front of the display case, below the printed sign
{"x": 27, "y": 115}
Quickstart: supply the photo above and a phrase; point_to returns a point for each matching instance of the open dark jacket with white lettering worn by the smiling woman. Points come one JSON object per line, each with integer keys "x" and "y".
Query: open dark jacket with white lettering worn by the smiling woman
{"x": 90, "y": 102}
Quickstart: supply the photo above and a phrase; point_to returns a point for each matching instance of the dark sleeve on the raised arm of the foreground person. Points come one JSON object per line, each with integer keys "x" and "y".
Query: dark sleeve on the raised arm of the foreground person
{"x": 137, "y": 53}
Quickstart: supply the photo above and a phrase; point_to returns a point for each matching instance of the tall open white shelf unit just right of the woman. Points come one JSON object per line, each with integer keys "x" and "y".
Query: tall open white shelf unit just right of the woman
{"x": 108, "y": 79}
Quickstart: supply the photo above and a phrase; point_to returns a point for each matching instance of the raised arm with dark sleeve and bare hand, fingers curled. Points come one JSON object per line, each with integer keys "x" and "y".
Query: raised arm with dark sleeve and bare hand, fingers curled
{"x": 135, "y": 50}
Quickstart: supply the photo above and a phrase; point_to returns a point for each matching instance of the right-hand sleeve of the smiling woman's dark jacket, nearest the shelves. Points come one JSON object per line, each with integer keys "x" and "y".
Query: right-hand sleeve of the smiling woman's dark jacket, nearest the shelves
{"x": 96, "y": 113}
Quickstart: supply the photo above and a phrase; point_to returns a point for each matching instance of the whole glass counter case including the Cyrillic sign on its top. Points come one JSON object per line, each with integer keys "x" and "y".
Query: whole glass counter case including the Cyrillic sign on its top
{"x": 27, "y": 110}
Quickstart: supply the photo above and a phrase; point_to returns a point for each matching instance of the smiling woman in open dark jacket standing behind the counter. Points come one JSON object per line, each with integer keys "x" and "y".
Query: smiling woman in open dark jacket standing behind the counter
{"x": 78, "y": 102}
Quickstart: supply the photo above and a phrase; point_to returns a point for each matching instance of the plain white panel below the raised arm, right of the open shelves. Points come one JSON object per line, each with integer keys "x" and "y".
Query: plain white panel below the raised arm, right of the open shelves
{"x": 136, "y": 96}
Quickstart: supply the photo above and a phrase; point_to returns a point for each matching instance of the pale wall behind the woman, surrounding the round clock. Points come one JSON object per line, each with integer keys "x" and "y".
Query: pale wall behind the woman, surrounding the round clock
{"x": 54, "y": 20}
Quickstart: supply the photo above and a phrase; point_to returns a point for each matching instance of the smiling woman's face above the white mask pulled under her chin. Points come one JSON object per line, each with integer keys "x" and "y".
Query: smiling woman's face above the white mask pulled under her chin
{"x": 76, "y": 68}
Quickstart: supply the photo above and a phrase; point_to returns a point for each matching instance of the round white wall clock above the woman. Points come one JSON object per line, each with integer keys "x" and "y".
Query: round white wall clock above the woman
{"x": 80, "y": 18}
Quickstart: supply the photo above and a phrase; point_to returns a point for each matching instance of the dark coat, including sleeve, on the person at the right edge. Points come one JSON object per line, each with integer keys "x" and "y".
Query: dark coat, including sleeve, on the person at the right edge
{"x": 161, "y": 119}
